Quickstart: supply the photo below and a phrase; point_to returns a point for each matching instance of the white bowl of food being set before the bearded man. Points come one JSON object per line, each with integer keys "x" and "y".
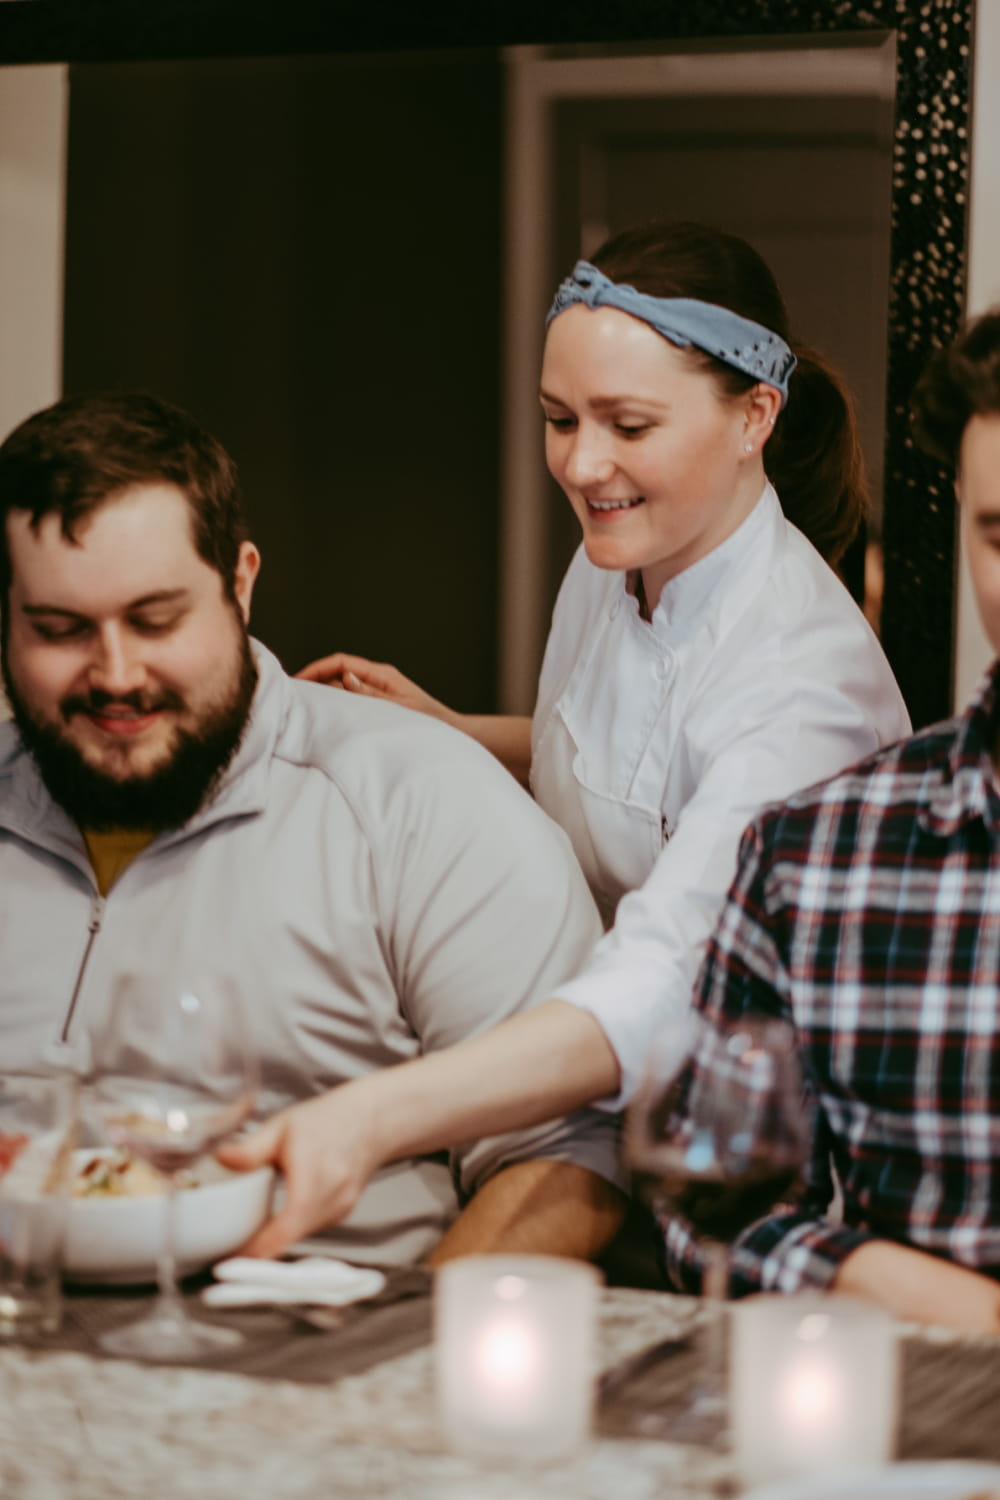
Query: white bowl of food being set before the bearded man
{"x": 118, "y": 1240}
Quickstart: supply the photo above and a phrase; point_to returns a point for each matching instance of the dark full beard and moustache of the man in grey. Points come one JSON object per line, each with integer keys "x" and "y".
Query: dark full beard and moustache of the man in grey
{"x": 164, "y": 799}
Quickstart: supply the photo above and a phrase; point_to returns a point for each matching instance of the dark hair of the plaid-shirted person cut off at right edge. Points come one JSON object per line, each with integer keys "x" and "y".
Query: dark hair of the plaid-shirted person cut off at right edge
{"x": 959, "y": 383}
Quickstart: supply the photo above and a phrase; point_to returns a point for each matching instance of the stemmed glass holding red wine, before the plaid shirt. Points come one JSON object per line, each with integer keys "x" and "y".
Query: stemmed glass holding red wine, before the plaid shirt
{"x": 716, "y": 1138}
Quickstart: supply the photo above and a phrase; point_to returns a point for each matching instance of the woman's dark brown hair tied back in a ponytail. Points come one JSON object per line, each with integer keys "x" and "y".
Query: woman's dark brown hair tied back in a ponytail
{"x": 815, "y": 458}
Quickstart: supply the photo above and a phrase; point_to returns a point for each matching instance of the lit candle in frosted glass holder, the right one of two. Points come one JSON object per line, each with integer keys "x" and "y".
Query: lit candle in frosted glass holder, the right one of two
{"x": 813, "y": 1385}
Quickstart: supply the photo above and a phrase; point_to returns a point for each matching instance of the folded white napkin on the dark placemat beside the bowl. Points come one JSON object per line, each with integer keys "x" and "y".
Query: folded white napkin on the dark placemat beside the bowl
{"x": 317, "y": 1280}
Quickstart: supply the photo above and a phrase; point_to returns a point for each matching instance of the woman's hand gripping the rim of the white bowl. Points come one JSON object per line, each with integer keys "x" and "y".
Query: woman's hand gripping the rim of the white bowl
{"x": 326, "y": 1150}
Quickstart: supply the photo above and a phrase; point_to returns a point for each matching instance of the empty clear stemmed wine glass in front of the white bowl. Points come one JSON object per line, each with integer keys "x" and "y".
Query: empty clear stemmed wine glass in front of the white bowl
{"x": 170, "y": 1078}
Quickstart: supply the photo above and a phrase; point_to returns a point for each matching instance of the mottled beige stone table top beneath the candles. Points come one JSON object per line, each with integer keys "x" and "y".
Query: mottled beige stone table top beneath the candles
{"x": 76, "y": 1427}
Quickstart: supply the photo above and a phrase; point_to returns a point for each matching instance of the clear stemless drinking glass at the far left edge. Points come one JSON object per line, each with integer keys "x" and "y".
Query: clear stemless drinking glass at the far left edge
{"x": 38, "y": 1117}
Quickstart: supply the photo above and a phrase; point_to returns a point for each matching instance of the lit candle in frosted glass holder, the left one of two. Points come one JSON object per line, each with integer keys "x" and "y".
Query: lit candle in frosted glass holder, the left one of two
{"x": 515, "y": 1354}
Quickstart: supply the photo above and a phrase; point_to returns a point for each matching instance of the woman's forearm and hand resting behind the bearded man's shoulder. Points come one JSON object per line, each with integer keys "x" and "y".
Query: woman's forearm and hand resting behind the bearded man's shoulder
{"x": 504, "y": 736}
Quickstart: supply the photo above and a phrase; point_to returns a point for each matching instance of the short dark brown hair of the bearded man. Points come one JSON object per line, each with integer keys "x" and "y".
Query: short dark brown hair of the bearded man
{"x": 82, "y": 452}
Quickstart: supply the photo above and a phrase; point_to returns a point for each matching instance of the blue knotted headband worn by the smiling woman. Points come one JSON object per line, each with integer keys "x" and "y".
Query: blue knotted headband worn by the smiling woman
{"x": 735, "y": 341}
